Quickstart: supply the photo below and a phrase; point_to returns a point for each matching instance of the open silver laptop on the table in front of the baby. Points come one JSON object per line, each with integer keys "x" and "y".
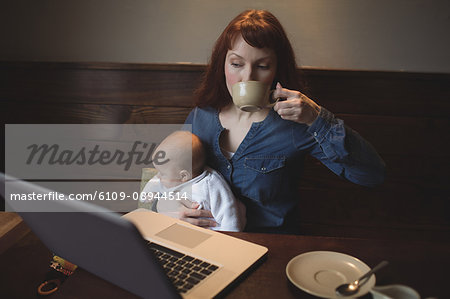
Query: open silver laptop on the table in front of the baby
{"x": 146, "y": 253}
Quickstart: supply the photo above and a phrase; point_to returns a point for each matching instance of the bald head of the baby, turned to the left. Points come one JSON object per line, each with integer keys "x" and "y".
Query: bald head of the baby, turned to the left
{"x": 186, "y": 158}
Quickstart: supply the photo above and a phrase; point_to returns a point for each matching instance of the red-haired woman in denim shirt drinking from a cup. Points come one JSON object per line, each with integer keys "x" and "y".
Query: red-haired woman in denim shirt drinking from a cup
{"x": 261, "y": 153}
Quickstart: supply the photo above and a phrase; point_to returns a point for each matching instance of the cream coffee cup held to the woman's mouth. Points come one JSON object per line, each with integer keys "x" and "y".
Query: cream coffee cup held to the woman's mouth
{"x": 251, "y": 96}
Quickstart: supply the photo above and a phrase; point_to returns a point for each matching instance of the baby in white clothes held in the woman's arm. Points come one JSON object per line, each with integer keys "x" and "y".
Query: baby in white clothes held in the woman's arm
{"x": 183, "y": 178}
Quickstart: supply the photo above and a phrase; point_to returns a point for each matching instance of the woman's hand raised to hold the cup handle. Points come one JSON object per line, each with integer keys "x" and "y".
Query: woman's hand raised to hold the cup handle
{"x": 297, "y": 107}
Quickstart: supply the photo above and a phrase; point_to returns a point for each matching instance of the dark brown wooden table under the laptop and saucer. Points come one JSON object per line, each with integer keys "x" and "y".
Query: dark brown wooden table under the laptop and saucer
{"x": 421, "y": 265}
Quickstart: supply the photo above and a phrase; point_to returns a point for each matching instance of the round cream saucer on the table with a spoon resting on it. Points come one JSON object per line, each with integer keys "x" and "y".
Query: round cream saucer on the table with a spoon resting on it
{"x": 320, "y": 272}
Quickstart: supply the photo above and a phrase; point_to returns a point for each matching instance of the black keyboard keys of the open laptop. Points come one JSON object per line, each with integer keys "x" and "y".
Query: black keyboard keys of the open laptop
{"x": 183, "y": 270}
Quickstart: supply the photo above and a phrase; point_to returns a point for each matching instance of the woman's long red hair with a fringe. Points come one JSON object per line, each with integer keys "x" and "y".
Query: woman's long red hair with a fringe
{"x": 260, "y": 29}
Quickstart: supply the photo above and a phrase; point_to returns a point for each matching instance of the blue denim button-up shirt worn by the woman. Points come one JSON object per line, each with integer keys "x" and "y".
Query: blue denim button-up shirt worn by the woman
{"x": 265, "y": 170}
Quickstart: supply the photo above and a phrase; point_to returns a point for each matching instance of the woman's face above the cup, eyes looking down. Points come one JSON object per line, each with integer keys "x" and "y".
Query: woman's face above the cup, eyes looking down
{"x": 246, "y": 63}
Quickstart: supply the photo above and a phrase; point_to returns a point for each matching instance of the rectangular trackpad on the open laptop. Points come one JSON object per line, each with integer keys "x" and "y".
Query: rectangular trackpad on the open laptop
{"x": 183, "y": 235}
